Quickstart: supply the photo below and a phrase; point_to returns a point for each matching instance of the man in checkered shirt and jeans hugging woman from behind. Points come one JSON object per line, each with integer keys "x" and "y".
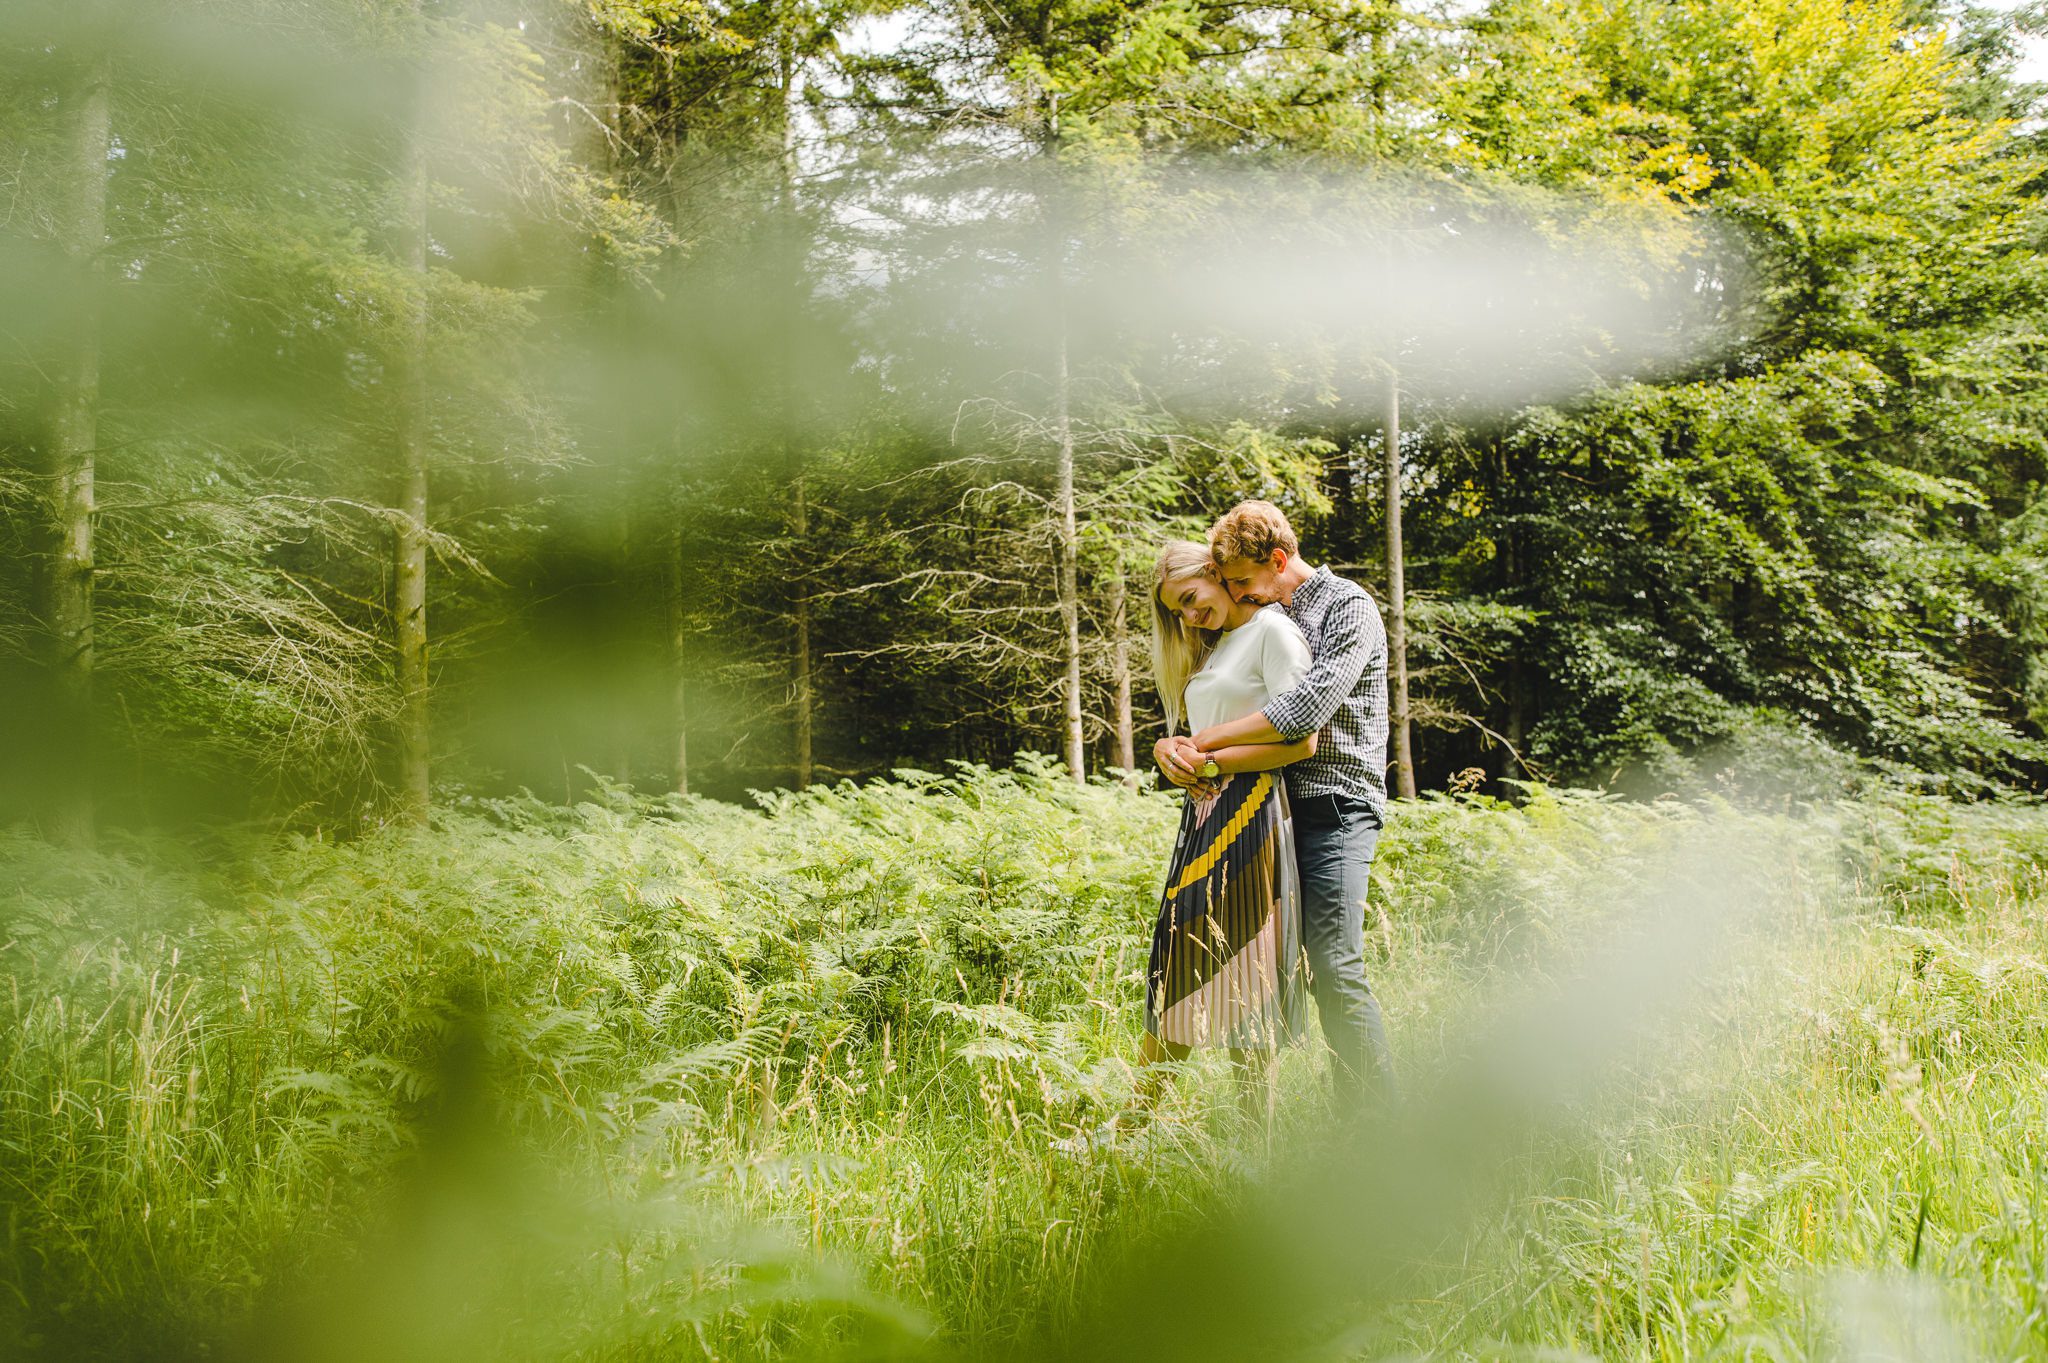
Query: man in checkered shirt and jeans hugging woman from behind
{"x": 1338, "y": 797}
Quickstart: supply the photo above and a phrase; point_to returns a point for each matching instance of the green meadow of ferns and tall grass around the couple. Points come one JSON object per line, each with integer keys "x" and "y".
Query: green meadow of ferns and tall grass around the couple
{"x": 681, "y": 1080}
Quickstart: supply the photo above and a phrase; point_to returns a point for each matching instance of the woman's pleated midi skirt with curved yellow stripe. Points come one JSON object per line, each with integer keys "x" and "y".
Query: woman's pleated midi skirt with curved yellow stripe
{"x": 1226, "y": 963}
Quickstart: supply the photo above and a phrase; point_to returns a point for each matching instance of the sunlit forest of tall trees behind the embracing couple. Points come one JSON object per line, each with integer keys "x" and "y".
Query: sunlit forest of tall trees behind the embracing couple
{"x": 493, "y": 398}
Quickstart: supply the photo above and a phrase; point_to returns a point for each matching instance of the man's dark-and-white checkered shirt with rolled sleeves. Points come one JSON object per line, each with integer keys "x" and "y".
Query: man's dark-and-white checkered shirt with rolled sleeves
{"x": 1342, "y": 697}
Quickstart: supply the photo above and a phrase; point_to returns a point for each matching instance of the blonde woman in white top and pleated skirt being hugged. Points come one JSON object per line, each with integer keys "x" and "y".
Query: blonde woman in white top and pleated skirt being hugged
{"x": 1226, "y": 963}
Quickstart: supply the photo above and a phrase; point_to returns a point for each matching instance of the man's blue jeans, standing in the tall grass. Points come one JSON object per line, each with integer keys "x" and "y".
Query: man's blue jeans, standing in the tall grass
{"x": 1334, "y": 844}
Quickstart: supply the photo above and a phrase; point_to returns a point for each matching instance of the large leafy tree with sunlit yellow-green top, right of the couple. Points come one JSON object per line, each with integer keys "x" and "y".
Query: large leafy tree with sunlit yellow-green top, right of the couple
{"x": 1869, "y": 238}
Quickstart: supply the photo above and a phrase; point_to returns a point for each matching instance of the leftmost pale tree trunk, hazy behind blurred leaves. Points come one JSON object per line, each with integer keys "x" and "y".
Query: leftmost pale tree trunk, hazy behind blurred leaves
{"x": 73, "y": 441}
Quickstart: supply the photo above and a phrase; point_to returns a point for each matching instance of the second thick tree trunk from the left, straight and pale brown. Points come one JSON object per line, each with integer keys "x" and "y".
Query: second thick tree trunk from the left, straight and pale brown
{"x": 409, "y": 549}
